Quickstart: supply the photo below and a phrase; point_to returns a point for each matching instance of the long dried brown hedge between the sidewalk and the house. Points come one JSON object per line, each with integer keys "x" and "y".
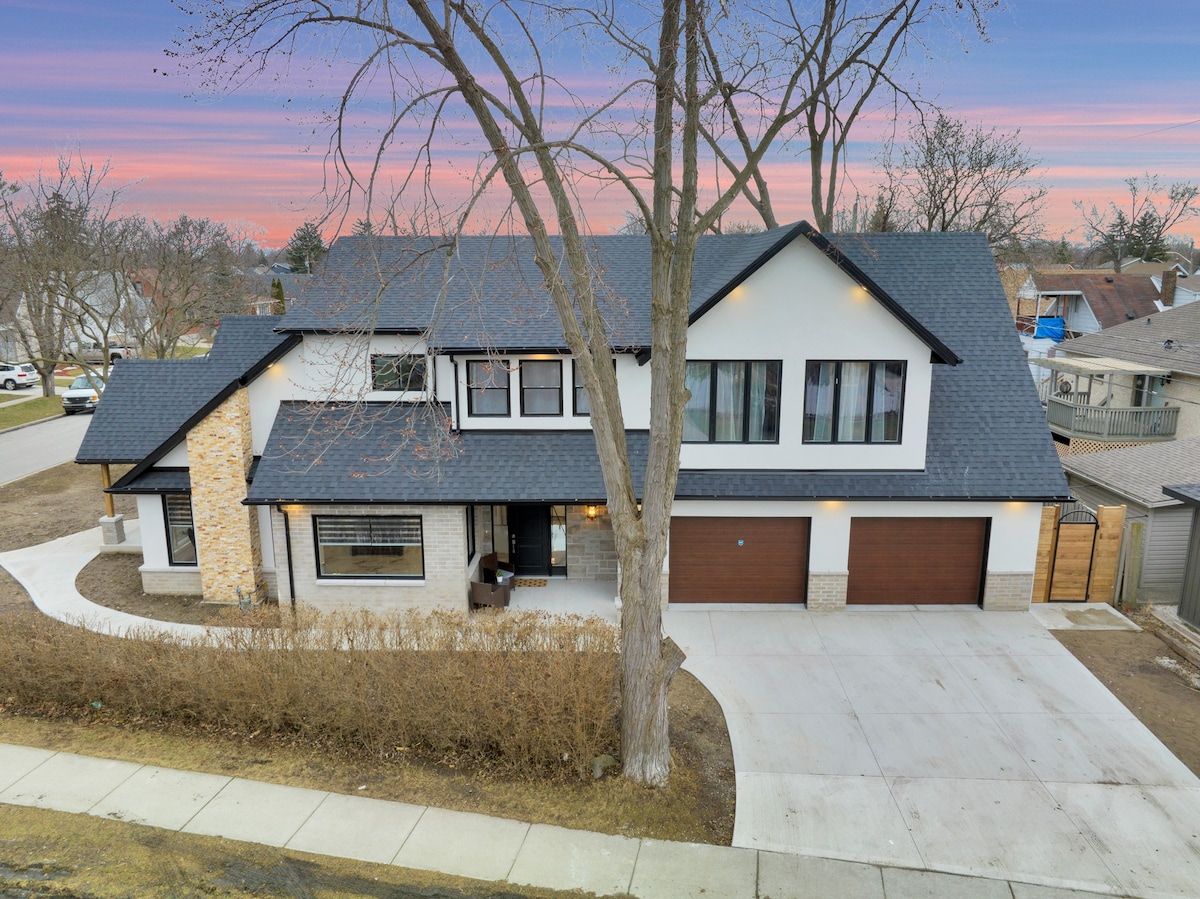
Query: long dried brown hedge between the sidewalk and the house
{"x": 523, "y": 691}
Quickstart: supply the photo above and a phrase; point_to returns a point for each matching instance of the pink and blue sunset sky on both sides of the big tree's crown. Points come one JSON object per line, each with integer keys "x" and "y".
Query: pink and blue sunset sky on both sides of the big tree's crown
{"x": 1100, "y": 89}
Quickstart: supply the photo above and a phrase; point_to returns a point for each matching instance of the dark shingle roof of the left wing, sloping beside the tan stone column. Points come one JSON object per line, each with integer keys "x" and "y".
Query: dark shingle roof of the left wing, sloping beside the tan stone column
{"x": 151, "y": 404}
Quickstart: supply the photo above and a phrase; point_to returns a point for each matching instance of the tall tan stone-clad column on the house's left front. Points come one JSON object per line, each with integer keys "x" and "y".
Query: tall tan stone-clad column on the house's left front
{"x": 220, "y": 454}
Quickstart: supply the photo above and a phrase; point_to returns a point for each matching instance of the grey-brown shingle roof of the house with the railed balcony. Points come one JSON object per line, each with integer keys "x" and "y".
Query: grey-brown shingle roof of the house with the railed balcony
{"x": 1166, "y": 340}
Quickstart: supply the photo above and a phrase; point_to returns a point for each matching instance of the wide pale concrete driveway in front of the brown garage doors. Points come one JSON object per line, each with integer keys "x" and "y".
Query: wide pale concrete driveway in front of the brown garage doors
{"x": 952, "y": 740}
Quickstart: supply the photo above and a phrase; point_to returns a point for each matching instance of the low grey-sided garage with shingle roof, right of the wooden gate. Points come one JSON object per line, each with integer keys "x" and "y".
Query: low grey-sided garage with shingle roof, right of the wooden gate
{"x": 1135, "y": 477}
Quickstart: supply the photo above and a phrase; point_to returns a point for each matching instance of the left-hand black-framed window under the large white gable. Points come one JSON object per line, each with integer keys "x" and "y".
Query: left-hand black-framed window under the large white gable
{"x": 733, "y": 403}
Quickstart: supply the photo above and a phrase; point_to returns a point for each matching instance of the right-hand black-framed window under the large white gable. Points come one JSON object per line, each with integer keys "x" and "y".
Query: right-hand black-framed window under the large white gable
{"x": 854, "y": 403}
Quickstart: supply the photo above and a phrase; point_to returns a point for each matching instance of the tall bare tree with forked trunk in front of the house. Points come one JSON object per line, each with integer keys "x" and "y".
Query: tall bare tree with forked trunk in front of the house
{"x": 671, "y": 76}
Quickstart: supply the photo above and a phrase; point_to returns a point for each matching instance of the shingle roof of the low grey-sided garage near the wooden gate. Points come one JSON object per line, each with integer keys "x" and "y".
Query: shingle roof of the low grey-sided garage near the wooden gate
{"x": 1138, "y": 474}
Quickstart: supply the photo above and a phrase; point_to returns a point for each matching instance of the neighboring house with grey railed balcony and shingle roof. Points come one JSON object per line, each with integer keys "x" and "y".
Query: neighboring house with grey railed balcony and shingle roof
{"x": 1138, "y": 382}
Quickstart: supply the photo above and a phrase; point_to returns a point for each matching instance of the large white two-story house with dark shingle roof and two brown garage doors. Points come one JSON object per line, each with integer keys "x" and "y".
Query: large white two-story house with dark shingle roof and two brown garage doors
{"x": 862, "y": 429}
